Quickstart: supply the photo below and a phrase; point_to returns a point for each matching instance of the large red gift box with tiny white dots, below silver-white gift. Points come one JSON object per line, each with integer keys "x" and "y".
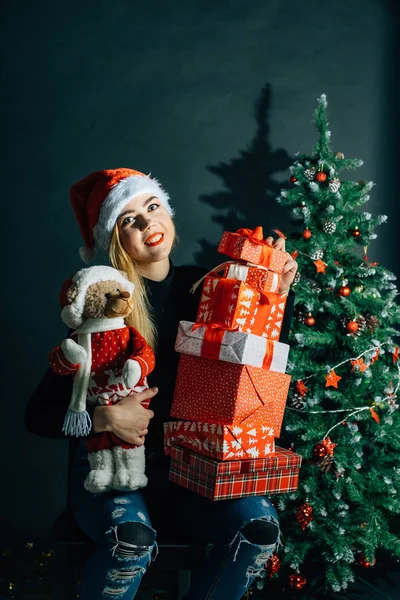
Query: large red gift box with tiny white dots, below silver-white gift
{"x": 225, "y": 393}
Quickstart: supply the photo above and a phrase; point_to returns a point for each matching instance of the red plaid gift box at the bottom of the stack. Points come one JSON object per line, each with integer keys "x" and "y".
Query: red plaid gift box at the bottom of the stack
{"x": 222, "y": 480}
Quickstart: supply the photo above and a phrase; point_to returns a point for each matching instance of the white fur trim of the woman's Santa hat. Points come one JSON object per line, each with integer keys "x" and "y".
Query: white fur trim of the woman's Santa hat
{"x": 119, "y": 196}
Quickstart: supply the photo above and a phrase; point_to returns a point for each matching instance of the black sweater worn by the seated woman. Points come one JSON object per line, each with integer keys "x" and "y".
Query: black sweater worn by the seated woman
{"x": 171, "y": 302}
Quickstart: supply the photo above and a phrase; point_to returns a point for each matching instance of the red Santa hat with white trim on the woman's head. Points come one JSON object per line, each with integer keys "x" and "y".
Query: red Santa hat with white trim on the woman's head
{"x": 99, "y": 198}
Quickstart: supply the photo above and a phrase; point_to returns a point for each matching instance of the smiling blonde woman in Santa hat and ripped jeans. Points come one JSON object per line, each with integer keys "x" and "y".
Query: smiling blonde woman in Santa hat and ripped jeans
{"x": 129, "y": 215}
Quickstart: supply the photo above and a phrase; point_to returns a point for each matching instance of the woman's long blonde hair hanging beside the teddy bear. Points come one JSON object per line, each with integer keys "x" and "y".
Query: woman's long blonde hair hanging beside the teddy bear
{"x": 140, "y": 317}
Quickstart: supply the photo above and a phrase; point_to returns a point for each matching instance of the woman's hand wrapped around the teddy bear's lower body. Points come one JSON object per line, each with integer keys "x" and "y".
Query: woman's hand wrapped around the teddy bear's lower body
{"x": 128, "y": 419}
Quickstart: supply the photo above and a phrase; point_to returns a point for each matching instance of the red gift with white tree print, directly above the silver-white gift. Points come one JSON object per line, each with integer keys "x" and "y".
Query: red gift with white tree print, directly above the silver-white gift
{"x": 233, "y": 304}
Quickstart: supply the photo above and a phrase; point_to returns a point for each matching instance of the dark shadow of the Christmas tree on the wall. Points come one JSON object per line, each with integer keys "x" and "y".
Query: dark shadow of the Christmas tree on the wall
{"x": 250, "y": 186}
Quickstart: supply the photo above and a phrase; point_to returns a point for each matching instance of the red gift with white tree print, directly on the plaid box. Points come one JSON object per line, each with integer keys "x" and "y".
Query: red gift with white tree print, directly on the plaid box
{"x": 250, "y": 438}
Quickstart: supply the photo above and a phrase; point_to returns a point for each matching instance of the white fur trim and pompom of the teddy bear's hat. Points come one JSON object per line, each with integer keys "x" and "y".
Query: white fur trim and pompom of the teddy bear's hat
{"x": 72, "y": 313}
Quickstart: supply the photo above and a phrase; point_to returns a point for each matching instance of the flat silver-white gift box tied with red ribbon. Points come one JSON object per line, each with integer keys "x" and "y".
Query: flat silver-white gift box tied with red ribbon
{"x": 231, "y": 346}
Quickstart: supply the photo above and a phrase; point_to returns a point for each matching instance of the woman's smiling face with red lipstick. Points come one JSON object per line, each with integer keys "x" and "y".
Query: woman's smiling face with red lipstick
{"x": 146, "y": 230}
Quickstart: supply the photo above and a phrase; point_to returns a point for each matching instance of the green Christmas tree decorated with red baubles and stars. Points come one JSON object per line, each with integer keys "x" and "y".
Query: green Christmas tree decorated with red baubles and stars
{"x": 342, "y": 414}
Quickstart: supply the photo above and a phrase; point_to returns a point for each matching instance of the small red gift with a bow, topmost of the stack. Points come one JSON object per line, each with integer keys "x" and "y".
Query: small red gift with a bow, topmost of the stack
{"x": 248, "y": 245}
